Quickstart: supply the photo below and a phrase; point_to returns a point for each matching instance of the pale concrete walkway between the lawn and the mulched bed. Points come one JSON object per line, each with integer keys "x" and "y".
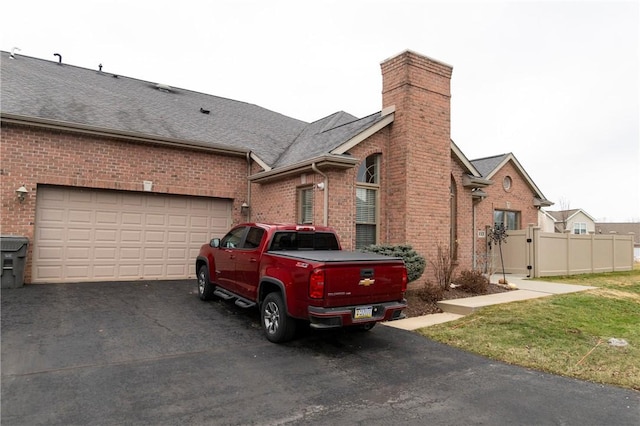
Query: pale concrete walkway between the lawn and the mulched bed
{"x": 457, "y": 308}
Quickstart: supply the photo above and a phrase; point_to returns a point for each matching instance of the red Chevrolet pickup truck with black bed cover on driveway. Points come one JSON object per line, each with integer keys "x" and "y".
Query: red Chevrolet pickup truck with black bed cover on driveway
{"x": 296, "y": 273}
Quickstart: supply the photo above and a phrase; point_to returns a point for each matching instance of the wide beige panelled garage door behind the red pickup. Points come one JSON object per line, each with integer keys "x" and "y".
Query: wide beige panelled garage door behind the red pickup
{"x": 95, "y": 235}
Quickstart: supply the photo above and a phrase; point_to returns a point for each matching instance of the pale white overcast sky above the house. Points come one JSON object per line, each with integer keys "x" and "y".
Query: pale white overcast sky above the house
{"x": 555, "y": 83}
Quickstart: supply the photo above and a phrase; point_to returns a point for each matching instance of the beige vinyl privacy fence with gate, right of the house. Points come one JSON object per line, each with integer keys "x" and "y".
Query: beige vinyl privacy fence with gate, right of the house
{"x": 538, "y": 254}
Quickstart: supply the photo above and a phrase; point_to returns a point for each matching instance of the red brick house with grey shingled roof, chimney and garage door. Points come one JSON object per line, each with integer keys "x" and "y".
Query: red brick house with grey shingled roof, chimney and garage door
{"x": 127, "y": 178}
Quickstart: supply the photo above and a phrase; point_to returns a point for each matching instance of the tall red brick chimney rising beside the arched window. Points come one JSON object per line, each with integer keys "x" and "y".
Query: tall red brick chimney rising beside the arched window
{"x": 419, "y": 159}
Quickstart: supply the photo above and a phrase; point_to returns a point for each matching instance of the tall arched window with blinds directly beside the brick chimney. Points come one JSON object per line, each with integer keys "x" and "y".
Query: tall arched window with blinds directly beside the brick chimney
{"x": 367, "y": 201}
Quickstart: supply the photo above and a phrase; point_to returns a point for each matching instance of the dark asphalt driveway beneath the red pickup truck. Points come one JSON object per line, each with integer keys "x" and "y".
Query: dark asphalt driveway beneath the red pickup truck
{"x": 153, "y": 353}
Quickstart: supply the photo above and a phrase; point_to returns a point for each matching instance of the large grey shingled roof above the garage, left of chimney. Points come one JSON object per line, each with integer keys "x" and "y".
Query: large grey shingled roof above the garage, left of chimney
{"x": 48, "y": 90}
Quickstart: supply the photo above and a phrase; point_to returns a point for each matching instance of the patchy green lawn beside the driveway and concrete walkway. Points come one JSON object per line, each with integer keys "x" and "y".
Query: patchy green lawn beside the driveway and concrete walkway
{"x": 564, "y": 334}
